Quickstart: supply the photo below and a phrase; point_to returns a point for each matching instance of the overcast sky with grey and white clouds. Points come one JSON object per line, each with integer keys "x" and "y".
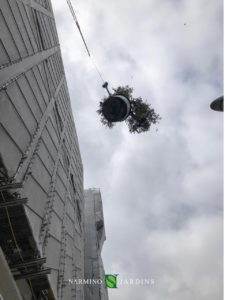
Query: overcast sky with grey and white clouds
{"x": 162, "y": 190}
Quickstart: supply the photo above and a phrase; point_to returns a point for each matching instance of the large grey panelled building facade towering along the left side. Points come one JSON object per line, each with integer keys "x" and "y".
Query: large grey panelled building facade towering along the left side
{"x": 41, "y": 173}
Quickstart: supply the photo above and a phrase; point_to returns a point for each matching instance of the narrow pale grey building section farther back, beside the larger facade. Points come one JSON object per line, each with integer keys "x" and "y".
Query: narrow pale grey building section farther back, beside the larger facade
{"x": 94, "y": 229}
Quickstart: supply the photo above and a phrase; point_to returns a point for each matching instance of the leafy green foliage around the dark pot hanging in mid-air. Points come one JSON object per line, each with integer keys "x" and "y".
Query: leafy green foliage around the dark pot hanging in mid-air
{"x": 142, "y": 115}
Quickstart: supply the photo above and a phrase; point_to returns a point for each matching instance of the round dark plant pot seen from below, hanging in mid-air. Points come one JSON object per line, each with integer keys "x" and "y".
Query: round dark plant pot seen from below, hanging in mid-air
{"x": 116, "y": 108}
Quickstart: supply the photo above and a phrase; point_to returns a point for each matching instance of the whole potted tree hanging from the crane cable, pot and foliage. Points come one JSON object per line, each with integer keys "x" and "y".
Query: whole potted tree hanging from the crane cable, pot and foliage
{"x": 121, "y": 106}
